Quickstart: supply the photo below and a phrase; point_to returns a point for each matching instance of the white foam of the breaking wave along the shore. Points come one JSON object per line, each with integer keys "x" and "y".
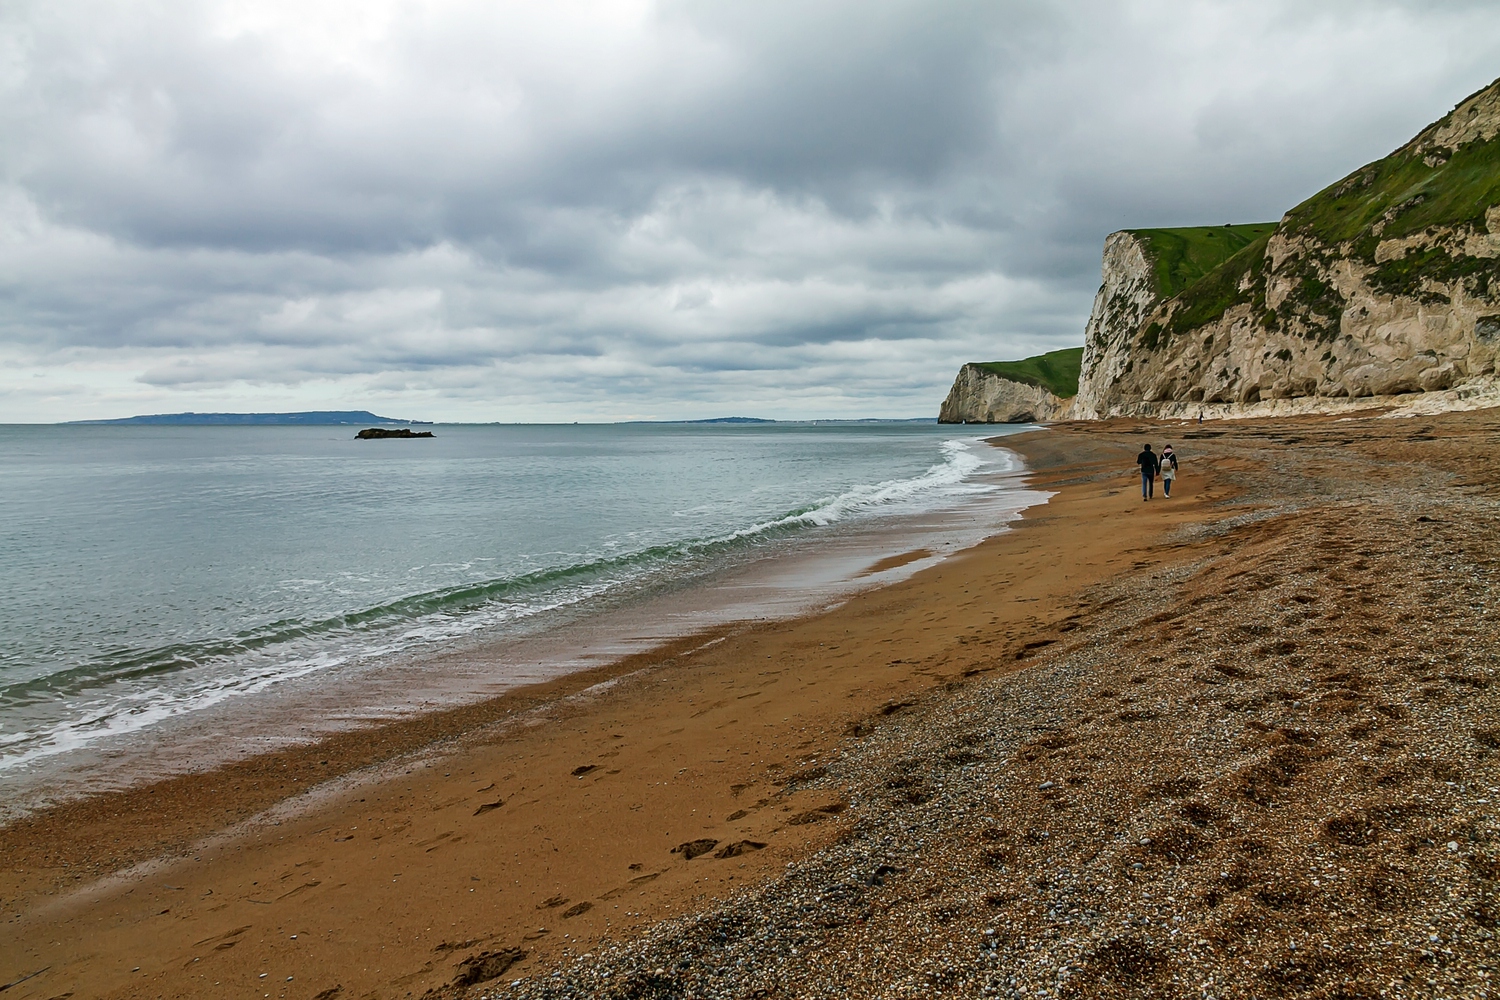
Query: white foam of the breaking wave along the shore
{"x": 119, "y": 710}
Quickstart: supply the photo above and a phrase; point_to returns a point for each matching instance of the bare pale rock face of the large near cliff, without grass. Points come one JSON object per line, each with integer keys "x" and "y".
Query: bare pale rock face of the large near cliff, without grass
{"x": 1378, "y": 344}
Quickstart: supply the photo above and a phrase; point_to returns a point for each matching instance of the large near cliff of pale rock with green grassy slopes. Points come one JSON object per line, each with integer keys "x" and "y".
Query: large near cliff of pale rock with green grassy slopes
{"x": 1384, "y": 286}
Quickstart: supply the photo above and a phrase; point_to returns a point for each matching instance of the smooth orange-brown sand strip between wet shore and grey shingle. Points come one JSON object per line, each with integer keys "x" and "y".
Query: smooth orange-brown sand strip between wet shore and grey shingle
{"x": 554, "y": 819}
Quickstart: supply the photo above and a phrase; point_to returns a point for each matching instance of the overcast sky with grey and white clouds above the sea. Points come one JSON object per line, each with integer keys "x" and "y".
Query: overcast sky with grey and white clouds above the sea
{"x": 601, "y": 211}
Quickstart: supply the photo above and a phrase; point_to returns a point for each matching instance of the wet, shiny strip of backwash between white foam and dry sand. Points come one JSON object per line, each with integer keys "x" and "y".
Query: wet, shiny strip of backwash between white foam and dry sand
{"x": 785, "y": 579}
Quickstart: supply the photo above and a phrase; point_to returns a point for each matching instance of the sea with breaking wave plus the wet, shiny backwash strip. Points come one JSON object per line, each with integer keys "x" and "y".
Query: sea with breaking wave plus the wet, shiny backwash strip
{"x": 176, "y": 596}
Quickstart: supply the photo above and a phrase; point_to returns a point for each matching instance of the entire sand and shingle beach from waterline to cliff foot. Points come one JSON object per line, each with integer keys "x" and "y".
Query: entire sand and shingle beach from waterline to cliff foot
{"x": 1235, "y": 743}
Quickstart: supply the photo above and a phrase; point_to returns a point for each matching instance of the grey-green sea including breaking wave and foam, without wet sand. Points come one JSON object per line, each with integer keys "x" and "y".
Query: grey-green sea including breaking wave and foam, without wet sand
{"x": 152, "y": 573}
